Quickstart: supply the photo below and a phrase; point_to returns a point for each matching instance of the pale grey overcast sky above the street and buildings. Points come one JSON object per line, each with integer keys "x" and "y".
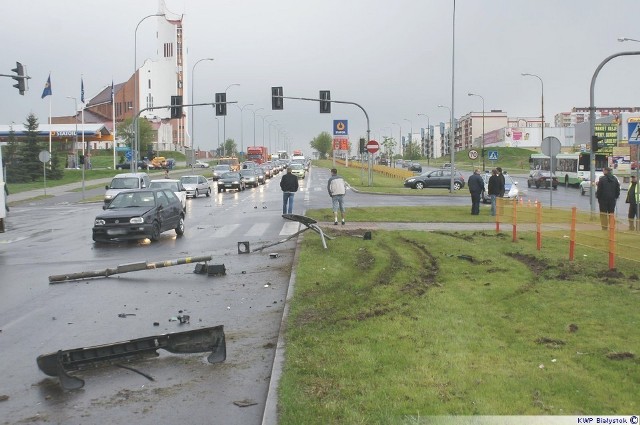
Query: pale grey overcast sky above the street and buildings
{"x": 392, "y": 57}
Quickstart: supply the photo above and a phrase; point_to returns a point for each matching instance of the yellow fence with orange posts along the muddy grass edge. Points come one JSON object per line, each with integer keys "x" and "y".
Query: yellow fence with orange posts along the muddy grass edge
{"x": 603, "y": 232}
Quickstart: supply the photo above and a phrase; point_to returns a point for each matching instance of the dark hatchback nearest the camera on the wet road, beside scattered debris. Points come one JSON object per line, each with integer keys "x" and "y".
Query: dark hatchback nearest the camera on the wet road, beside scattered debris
{"x": 139, "y": 214}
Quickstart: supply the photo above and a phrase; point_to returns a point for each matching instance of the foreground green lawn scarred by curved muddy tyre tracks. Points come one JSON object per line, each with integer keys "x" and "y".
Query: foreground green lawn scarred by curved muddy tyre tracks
{"x": 414, "y": 324}
